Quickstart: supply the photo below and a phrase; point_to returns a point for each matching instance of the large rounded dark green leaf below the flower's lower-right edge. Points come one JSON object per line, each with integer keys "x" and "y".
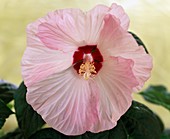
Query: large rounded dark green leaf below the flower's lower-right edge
{"x": 141, "y": 123}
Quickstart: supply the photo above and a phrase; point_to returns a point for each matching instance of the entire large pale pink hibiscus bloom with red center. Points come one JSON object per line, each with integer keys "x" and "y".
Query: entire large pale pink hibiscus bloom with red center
{"x": 80, "y": 68}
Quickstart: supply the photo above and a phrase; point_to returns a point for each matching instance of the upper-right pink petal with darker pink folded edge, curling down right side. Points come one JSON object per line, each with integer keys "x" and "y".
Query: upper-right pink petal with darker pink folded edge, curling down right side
{"x": 114, "y": 41}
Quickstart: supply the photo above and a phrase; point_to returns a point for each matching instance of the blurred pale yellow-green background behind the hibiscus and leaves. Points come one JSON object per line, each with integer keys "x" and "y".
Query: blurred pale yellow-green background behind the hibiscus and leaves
{"x": 150, "y": 20}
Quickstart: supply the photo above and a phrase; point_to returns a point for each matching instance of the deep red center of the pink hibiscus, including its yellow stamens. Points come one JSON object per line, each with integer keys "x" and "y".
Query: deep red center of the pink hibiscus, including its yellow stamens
{"x": 87, "y": 61}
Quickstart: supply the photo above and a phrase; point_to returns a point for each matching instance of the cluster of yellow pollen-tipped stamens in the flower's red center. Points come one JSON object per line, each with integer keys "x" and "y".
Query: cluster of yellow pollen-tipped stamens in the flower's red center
{"x": 87, "y": 70}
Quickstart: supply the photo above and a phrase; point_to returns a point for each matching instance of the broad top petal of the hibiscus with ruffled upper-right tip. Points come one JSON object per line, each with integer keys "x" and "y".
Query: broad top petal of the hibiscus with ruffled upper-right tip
{"x": 70, "y": 28}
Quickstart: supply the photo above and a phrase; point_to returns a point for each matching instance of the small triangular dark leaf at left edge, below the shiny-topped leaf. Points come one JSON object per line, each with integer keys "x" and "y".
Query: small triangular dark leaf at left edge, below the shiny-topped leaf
{"x": 4, "y": 113}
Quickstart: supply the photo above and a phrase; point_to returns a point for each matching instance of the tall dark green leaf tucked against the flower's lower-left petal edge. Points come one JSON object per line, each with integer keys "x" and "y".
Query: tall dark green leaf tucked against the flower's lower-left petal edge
{"x": 28, "y": 119}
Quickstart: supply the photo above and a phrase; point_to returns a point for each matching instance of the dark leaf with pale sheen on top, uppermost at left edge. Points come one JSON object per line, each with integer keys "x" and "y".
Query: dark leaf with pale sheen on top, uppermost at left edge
{"x": 6, "y": 91}
